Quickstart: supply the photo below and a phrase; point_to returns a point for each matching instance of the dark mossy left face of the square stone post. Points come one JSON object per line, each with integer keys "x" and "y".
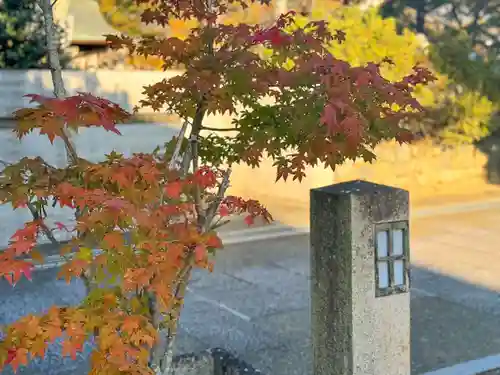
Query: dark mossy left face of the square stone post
{"x": 331, "y": 294}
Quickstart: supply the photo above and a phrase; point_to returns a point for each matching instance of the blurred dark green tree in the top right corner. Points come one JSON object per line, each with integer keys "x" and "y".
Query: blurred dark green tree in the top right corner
{"x": 464, "y": 37}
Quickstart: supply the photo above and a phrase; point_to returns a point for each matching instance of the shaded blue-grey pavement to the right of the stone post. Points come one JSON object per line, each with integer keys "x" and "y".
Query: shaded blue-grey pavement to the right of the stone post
{"x": 452, "y": 321}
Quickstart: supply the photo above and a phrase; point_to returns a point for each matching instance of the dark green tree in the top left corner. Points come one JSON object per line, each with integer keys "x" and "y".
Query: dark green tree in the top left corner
{"x": 22, "y": 36}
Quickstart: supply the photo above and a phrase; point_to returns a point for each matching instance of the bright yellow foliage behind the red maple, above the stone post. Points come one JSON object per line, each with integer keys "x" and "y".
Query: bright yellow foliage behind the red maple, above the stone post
{"x": 454, "y": 113}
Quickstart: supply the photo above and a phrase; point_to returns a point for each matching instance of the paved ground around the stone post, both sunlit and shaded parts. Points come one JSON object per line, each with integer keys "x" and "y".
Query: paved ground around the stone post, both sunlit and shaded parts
{"x": 257, "y": 301}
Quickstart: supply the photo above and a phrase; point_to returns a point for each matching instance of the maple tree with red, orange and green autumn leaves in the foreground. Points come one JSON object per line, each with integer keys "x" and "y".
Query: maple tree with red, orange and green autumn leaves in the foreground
{"x": 154, "y": 216}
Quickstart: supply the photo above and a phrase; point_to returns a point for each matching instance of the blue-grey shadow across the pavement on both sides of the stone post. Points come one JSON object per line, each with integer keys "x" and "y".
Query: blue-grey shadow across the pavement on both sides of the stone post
{"x": 268, "y": 282}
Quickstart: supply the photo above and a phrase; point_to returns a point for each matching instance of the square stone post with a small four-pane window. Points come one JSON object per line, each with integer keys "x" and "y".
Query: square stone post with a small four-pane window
{"x": 360, "y": 280}
